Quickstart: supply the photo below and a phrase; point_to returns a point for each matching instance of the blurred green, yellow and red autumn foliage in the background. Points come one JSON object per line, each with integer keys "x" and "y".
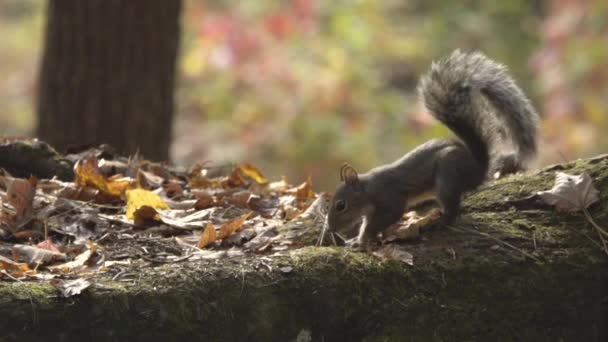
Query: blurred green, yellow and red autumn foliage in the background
{"x": 297, "y": 87}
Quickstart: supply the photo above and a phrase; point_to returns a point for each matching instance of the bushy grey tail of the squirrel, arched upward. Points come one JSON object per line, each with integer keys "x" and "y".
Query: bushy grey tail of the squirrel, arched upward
{"x": 449, "y": 91}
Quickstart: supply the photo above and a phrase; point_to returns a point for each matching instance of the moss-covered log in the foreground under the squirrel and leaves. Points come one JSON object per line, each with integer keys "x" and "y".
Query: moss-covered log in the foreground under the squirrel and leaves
{"x": 512, "y": 268}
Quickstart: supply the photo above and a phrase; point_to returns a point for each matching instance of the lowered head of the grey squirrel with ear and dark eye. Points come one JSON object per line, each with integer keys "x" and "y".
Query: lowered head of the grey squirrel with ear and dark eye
{"x": 349, "y": 203}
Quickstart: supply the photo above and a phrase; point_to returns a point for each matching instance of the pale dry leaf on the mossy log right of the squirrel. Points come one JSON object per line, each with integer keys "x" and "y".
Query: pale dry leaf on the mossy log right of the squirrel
{"x": 571, "y": 193}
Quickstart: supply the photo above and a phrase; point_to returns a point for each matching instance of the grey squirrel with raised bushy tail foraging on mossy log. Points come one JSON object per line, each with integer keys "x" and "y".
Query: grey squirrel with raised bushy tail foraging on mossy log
{"x": 477, "y": 100}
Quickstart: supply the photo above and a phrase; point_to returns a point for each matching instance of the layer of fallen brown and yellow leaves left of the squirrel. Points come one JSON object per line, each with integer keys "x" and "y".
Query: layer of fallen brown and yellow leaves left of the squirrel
{"x": 122, "y": 214}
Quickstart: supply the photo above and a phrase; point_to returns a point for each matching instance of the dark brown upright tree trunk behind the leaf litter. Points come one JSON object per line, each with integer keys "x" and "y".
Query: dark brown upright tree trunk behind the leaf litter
{"x": 107, "y": 74}
